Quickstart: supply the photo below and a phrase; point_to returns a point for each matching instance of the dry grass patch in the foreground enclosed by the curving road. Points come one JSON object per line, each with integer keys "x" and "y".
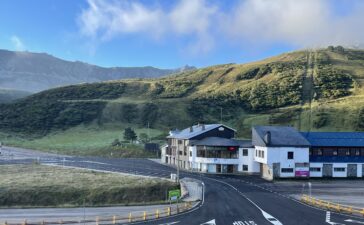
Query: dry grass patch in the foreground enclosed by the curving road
{"x": 38, "y": 185}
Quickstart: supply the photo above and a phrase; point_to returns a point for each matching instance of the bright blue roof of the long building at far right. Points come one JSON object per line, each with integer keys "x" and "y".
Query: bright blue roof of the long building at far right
{"x": 335, "y": 139}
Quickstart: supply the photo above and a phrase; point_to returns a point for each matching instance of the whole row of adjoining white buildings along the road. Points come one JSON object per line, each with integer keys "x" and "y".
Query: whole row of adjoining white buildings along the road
{"x": 274, "y": 152}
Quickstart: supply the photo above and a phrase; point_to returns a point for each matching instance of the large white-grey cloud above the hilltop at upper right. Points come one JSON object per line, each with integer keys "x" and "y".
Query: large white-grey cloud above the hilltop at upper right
{"x": 302, "y": 23}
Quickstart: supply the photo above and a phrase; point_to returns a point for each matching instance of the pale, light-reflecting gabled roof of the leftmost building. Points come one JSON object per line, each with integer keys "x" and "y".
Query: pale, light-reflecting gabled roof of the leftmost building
{"x": 197, "y": 130}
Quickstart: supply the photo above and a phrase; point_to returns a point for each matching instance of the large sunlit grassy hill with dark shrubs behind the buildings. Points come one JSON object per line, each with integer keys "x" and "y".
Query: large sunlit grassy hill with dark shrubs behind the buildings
{"x": 310, "y": 89}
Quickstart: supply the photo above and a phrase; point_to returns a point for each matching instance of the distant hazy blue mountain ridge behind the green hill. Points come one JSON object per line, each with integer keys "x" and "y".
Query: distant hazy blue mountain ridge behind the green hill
{"x": 38, "y": 71}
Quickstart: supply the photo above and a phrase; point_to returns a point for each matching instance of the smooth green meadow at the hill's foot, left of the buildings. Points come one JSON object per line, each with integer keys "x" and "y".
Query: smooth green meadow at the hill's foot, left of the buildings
{"x": 83, "y": 140}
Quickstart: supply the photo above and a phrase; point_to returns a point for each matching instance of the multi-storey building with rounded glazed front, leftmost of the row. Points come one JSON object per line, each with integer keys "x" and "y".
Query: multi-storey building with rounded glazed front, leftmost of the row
{"x": 209, "y": 148}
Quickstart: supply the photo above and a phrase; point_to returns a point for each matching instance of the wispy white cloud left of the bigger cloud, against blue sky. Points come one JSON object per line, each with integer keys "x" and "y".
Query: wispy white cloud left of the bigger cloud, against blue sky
{"x": 103, "y": 20}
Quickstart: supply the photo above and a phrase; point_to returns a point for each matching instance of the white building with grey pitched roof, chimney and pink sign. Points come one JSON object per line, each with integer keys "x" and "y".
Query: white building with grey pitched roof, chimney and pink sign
{"x": 281, "y": 151}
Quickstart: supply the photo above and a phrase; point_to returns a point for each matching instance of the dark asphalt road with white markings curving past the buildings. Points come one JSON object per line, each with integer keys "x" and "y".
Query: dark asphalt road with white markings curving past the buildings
{"x": 228, "y": 200}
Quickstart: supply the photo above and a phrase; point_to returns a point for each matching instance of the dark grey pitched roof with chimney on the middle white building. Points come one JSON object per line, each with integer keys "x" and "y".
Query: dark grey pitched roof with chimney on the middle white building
{"x": 281, "y": 136}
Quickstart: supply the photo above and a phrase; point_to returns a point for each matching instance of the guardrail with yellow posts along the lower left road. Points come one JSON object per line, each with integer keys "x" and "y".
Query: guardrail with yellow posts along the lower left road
{"x": 125, "y": 219}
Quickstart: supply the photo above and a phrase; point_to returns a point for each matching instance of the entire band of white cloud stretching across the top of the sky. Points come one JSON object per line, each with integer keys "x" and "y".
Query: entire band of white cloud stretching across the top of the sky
{"x": 306, "y": 23}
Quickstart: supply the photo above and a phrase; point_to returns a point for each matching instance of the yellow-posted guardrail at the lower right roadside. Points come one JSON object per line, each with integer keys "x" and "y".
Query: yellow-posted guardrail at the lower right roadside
{"x": 332, "y": 206}
